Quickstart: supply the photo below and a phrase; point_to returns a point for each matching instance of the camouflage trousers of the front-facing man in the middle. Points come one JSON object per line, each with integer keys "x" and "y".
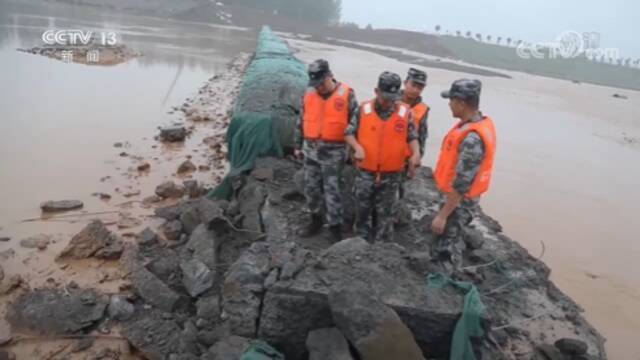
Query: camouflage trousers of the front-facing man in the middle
{"x": 375, "y": 198}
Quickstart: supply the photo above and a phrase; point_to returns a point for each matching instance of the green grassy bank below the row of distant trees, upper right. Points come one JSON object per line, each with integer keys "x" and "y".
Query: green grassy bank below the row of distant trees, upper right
{"x": 575, "y": 69}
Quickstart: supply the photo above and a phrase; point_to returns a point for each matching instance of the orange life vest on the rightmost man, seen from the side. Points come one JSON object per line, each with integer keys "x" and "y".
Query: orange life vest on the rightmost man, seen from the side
{"x": 446, "y": 168}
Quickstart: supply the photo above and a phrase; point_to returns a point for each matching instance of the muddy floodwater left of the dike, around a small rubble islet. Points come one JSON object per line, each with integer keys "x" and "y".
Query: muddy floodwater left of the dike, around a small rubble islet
{"x": 60, "y": 121}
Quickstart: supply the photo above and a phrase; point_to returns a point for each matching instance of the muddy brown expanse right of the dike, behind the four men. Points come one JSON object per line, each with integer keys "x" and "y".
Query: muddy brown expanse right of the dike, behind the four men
{"x": 564, "y": 176}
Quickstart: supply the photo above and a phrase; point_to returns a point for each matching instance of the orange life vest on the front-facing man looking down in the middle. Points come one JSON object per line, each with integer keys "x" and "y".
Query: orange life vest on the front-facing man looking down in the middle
{"x": 384, "y": 141}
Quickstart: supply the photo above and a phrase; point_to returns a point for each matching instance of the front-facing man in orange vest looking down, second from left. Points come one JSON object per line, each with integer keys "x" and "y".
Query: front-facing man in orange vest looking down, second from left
{"x": 380, "y": 134}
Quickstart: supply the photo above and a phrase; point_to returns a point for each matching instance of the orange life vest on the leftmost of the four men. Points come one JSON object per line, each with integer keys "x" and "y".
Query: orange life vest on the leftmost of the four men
{"x": 326, "y": 119}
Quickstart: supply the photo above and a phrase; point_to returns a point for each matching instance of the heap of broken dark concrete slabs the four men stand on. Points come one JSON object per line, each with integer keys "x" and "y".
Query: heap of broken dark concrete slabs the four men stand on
{"x": 239, "y": 272}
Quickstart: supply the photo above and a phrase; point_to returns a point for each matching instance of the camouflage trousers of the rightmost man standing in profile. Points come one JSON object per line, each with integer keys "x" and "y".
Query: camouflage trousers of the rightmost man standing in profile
{"x": 449, "y": 246}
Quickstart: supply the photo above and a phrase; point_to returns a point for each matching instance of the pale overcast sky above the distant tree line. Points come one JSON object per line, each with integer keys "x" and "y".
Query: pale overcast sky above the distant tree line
{"x": 616, "y": 20}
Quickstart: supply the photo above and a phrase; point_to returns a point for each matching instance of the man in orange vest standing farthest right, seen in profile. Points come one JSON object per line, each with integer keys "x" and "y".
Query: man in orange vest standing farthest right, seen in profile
{"x": 463, "y": 171}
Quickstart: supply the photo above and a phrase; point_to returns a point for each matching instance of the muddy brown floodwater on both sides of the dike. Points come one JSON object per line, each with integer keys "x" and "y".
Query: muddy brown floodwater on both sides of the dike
{"x": 566, "y": 174}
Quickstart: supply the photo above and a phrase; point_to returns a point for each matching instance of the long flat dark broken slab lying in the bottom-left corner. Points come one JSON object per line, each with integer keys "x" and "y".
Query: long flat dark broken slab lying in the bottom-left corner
{"x": 52, "y": 311}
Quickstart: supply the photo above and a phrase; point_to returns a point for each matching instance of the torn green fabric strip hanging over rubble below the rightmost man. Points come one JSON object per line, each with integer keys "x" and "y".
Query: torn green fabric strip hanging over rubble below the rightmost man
{"x": 469, "y": 323}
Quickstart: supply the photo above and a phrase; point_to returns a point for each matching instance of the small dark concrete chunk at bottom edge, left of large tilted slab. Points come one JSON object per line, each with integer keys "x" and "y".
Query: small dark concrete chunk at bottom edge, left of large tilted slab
{"x": 328, "y": 343}
